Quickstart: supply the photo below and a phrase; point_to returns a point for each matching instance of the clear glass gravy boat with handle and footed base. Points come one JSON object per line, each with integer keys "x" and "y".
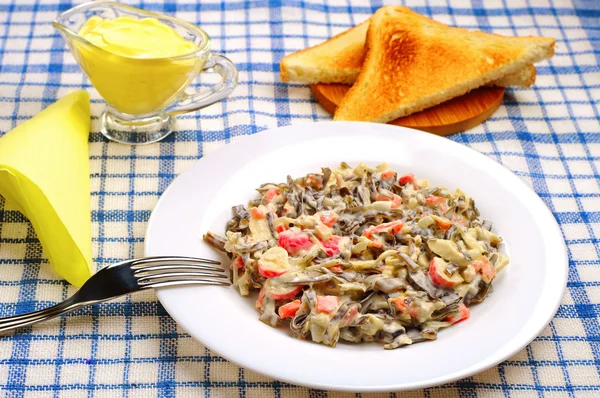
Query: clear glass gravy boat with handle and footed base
{"x": 144, "y": 94}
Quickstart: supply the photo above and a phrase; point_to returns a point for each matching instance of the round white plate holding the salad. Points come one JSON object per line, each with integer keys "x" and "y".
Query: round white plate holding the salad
{"x": 526, "y": 296}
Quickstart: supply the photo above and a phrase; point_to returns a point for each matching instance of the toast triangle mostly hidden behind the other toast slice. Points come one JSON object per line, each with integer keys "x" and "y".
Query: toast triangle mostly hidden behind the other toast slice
{"x": 340, "y": 59}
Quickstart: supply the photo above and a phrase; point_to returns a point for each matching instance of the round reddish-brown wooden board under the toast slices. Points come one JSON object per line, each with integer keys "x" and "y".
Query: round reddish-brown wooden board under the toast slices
{"x": 457, "y": 114}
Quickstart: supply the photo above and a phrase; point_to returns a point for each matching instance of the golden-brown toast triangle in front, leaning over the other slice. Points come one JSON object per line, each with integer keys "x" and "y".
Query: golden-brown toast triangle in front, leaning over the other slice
{"x": 413, "y": 63}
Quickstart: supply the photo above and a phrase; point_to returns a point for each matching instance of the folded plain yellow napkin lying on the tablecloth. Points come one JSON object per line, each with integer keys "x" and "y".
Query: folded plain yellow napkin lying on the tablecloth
{"x": 44, "y": 172}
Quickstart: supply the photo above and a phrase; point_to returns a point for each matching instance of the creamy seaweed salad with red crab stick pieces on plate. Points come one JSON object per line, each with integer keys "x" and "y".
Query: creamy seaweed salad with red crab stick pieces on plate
{"x": 361, "y": 254}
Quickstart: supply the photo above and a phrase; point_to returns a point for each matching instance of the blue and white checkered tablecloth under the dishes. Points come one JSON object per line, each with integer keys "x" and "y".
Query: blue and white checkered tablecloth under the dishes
{"x": 549, "y": 135}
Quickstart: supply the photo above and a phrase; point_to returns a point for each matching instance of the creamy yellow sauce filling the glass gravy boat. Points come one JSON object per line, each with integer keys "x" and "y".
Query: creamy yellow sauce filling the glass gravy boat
{"x": 131, "y": 62}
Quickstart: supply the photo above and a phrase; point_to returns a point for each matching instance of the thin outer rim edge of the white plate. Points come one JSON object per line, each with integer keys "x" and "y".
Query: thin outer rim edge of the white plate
{"x": 448, "y": 378}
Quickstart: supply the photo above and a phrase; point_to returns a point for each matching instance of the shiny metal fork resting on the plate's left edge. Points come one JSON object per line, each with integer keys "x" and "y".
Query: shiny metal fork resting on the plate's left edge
{"x": 128, "y": 277}
